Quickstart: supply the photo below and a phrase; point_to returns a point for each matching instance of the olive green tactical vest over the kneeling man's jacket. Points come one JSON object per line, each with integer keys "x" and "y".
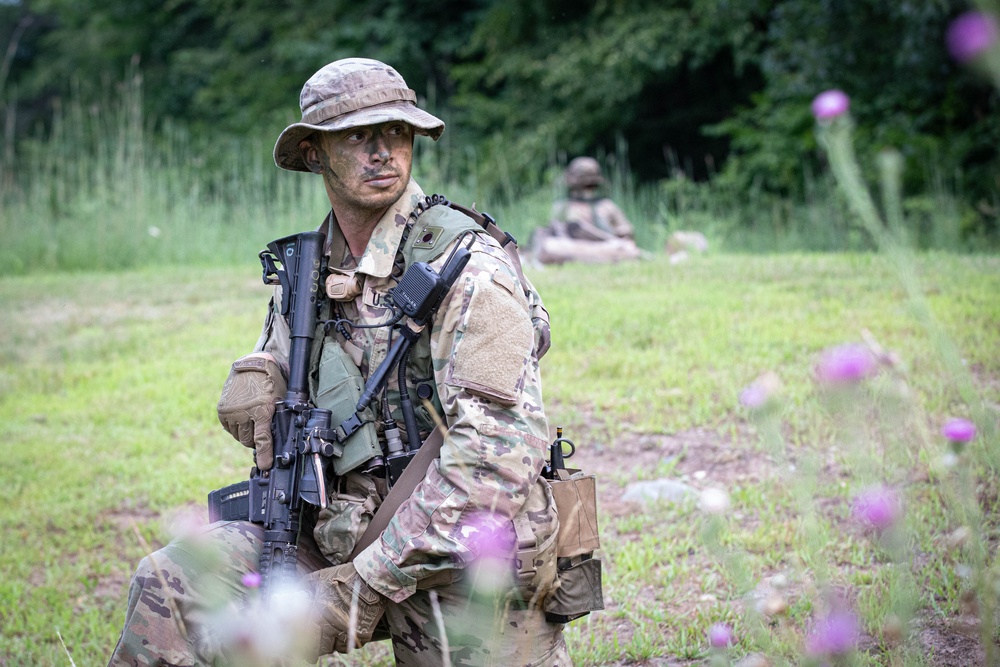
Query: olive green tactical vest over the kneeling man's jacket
{"x": 336, "y": 382}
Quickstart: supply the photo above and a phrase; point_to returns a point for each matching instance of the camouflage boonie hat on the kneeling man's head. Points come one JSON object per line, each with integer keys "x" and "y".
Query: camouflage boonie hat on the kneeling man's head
{"x": 350, "y": 93}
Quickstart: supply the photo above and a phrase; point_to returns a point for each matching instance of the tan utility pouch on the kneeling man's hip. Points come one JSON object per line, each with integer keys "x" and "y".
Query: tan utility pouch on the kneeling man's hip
{"x": 579, "y": 573}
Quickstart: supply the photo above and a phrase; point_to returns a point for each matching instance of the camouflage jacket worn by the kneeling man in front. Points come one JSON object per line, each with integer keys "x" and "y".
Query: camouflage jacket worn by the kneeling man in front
{"x": 479, "y": 355}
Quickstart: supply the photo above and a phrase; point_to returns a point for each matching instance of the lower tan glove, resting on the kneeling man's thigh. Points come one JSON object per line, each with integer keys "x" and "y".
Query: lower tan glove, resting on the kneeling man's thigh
{"x": 339, "y": 593}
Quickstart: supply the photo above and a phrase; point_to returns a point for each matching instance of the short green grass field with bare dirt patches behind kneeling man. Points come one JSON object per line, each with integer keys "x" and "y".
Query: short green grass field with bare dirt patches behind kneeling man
{"x": 108, "y": 385}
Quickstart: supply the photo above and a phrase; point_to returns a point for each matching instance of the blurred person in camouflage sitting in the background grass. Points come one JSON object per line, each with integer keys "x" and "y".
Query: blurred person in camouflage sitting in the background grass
{"x": 585, "y": 226}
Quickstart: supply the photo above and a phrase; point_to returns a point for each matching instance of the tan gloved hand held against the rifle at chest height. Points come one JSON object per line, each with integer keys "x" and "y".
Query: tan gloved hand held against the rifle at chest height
{"x": 254, "y": 386}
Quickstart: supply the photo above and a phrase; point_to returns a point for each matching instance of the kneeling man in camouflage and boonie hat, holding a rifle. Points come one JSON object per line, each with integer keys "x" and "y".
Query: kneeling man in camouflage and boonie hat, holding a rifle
{"x": 477, "y": 368}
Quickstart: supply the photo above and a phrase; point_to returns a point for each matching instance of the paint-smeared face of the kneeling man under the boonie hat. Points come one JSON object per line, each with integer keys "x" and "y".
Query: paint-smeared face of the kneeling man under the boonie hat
{"x": 366, "y": 168}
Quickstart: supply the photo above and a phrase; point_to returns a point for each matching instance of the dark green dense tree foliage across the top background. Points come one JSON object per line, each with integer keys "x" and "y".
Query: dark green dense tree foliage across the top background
{"x": 689, "y": 86}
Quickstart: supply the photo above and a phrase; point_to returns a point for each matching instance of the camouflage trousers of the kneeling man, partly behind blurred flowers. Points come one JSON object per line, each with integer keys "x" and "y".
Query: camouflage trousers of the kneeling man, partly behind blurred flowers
{"x": 189, "y": 604}
